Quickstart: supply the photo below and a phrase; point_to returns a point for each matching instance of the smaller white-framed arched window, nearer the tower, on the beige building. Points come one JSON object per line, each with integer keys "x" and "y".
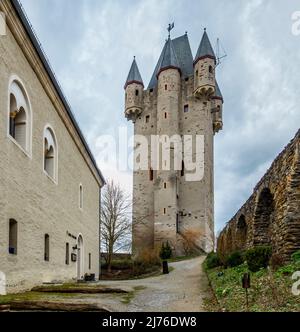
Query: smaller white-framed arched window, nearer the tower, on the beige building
{"x": 50, "y": 153}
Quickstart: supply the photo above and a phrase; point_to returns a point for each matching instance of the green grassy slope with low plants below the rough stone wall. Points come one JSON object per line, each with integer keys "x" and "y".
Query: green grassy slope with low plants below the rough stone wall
{"x": 269, "y": 292}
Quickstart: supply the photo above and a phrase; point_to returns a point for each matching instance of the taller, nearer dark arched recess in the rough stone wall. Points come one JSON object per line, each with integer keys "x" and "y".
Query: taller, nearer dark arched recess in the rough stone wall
{"x": 263, "y": 218}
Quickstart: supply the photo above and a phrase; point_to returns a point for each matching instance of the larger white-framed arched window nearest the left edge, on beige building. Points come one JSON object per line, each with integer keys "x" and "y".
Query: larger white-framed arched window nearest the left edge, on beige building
{"x": 19, "y": 116}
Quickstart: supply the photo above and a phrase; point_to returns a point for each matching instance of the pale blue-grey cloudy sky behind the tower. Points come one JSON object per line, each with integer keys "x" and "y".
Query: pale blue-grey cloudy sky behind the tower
{"x": 91, "y": 43}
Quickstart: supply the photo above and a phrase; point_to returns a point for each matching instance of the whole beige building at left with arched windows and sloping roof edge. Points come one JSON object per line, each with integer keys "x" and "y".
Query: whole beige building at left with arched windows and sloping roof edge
{"x": 49, "y": 180}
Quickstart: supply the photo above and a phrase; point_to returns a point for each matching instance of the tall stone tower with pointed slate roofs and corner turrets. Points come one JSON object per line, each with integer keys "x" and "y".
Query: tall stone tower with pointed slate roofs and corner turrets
{"x": 182, "y": 102}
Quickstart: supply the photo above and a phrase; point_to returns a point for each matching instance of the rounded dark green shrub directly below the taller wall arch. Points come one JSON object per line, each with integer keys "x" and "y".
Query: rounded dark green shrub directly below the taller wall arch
{"x": 258, "y": 258}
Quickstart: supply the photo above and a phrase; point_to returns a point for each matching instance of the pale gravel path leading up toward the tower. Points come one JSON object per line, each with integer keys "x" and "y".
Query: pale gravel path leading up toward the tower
{"x": 183, "y": 290}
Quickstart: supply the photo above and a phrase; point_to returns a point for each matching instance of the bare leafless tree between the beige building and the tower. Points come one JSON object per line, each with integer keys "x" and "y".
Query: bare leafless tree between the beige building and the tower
{"x": 116, "y": 225}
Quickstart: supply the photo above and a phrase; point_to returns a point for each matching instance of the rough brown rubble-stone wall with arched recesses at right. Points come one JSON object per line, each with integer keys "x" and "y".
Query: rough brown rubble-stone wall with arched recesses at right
{"x": 271, "y": 216}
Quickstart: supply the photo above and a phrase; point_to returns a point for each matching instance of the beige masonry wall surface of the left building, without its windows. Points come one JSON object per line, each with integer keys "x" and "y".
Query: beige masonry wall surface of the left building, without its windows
{"x": 39, "y": 205}
